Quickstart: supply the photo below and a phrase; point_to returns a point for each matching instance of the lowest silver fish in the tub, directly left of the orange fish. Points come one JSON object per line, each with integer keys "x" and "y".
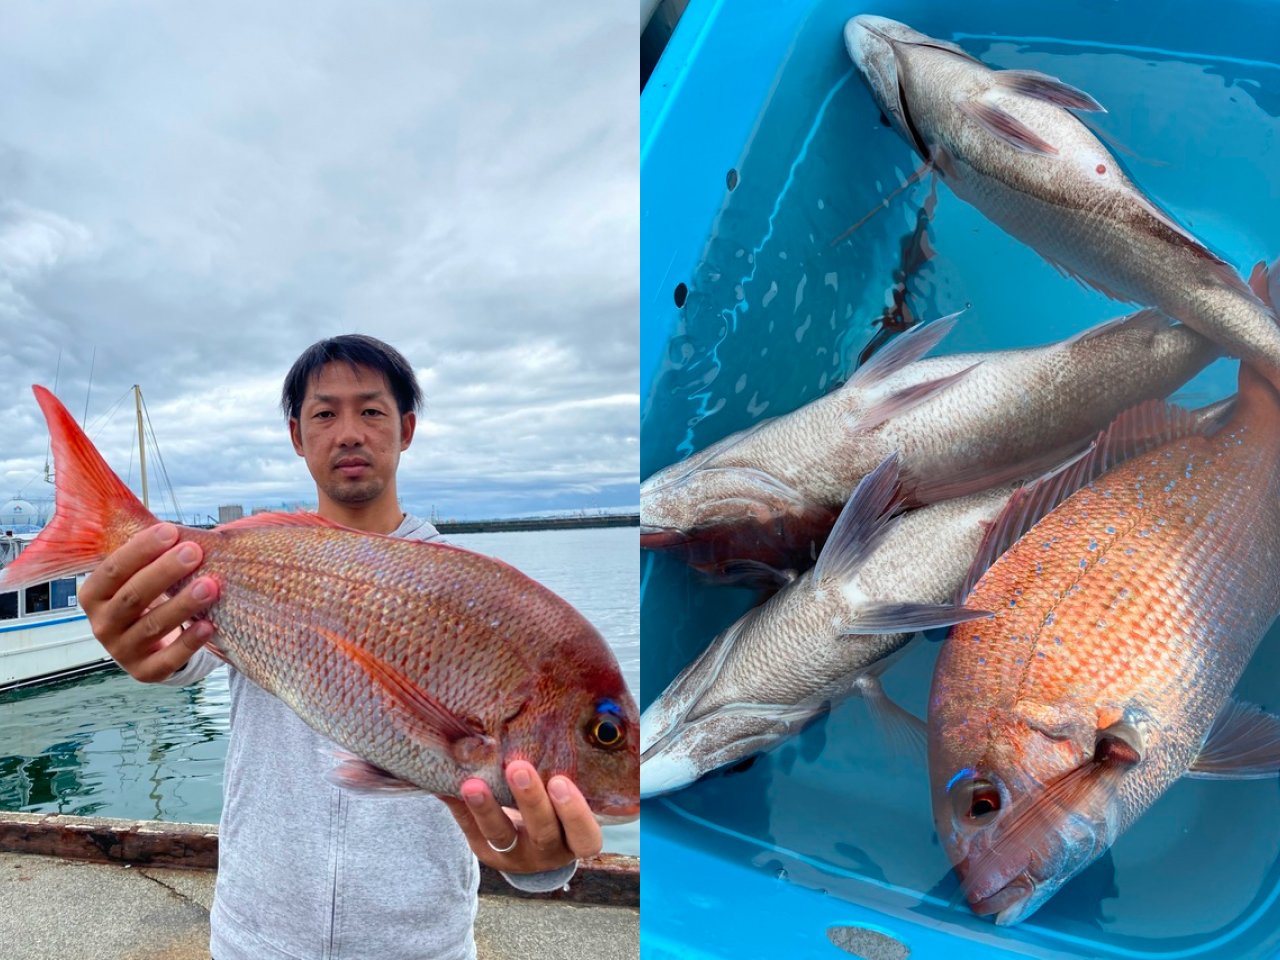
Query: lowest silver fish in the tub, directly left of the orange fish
{"x": 825, "y": 637}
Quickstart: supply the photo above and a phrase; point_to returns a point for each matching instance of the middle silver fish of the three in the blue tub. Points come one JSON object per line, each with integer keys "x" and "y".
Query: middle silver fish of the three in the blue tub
{"x": 765, "y": 499}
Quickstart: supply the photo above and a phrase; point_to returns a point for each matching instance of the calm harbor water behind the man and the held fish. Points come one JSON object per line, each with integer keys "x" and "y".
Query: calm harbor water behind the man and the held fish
{"x": 107, "y": 746}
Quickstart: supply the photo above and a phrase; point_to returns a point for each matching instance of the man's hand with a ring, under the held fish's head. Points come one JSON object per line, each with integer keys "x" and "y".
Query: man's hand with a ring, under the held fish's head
{"x": 552, "y": 828}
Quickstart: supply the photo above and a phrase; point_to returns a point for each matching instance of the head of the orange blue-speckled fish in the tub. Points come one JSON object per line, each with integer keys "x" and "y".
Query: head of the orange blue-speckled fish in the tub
{"x": 1027, "y": 816}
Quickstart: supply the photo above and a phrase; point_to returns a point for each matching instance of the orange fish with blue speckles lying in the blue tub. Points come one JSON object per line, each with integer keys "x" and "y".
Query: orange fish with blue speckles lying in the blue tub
{"x": 1124, "y": 619}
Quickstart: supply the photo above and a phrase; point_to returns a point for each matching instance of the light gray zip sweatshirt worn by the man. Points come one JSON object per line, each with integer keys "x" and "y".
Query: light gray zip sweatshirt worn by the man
{"x": 308, "y": 871}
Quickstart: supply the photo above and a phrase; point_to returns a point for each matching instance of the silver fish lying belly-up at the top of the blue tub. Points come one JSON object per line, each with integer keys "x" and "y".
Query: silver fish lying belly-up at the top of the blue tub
{"x": 1007, "y": 143}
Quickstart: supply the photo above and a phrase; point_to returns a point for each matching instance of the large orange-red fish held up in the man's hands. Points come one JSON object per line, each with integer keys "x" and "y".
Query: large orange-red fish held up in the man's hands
{"x": 429, "y": 662}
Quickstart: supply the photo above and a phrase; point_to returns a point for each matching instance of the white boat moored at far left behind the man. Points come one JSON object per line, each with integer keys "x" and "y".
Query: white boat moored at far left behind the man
{"x": 44, "y": 634}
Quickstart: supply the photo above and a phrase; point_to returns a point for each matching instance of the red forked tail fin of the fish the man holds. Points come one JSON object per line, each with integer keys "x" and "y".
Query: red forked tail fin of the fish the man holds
{"x": 94, "y": 510}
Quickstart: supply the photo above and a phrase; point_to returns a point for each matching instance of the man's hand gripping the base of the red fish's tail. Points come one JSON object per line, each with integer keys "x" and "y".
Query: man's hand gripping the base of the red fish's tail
{"x": 147, "y": 638}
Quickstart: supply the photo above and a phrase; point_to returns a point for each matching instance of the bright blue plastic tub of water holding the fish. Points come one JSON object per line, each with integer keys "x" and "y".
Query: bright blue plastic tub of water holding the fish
{"x": 828, "y": 830}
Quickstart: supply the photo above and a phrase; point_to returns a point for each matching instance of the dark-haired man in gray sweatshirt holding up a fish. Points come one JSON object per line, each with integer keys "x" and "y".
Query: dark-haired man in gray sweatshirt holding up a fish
{"x": 308, "y": 870}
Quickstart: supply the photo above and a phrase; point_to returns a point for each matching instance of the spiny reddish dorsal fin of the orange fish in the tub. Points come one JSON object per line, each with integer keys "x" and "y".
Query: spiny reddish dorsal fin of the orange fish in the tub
{"x": 1132, "y": 433}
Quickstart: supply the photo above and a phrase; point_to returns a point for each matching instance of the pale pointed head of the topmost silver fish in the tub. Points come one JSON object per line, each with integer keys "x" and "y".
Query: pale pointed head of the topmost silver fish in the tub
{"x": 880, "y": 49}
